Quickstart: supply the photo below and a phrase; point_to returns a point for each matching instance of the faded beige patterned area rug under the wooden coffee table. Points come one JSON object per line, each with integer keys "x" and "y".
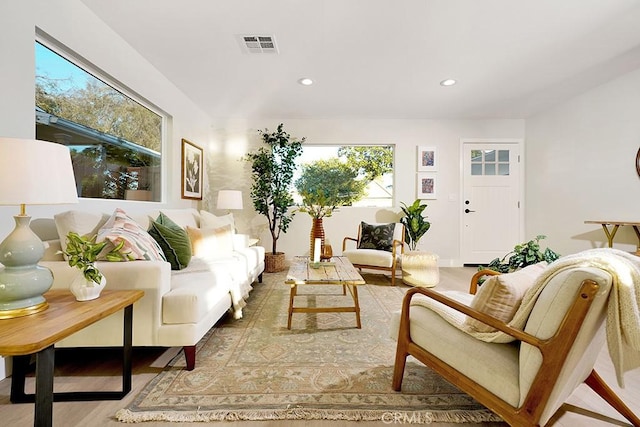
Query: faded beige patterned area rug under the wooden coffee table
{"x": 255, "y": 368}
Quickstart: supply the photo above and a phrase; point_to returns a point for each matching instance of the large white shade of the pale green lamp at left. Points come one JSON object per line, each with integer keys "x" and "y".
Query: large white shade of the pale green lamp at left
{"x": 34, "y": 172}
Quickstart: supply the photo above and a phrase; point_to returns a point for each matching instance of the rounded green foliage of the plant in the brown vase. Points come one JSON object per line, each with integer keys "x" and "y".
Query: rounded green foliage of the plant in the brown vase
{"x": 327, "y": 184}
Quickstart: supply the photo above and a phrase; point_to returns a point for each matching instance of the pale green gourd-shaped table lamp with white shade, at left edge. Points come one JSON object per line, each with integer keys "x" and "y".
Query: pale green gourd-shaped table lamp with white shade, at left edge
{"x": 32, "y": 172}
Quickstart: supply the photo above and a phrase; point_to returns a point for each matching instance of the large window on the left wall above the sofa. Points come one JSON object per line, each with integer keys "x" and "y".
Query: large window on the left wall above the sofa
{"x": 115, "y": 141}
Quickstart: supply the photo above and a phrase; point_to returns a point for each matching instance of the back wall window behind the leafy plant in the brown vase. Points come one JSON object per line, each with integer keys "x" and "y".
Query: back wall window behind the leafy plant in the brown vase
{"x": 364, "y": 173}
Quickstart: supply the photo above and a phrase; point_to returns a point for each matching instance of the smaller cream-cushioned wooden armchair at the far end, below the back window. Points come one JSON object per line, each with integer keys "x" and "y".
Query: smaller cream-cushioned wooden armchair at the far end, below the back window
{"x": 374, "y": 258}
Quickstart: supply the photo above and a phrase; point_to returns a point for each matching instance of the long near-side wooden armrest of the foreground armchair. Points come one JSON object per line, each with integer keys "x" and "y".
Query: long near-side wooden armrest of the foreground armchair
{"x": 483, "y": 317}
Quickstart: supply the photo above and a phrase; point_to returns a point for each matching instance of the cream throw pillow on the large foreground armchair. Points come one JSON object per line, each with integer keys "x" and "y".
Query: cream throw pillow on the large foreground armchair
{"x": 500, "y": 296}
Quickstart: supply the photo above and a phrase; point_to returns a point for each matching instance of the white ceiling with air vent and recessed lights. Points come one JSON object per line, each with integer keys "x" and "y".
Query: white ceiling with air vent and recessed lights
{"x": 382, "y": 58}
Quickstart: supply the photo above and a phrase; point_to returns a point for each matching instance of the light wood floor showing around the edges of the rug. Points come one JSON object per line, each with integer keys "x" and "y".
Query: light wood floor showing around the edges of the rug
{"x": 99, "y": 370}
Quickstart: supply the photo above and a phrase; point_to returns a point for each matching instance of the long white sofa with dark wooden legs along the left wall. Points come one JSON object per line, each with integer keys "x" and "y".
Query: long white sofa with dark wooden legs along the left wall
{"x": 179, "y": 306}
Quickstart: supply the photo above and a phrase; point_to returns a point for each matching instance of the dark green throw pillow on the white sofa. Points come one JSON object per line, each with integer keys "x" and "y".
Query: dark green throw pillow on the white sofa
{"x": 173, "y": 240}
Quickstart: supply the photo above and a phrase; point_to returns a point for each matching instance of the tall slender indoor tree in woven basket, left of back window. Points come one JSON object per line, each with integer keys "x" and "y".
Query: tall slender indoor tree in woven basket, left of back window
{"x": 272, "y": 169}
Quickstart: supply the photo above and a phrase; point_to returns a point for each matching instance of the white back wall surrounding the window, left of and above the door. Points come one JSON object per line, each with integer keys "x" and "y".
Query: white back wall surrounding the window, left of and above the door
{"x": 233, "y": 139}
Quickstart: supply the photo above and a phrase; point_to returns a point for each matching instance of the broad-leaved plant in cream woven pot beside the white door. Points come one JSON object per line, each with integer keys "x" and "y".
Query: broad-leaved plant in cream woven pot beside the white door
{"x": 419, "y": 268}
